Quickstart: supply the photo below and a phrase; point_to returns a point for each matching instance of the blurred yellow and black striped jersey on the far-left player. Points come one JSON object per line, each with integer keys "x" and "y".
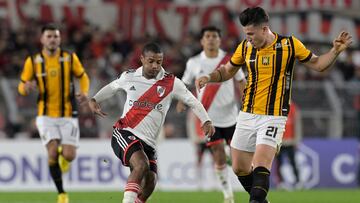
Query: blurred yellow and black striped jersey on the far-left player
{"x": 54, "y": 78}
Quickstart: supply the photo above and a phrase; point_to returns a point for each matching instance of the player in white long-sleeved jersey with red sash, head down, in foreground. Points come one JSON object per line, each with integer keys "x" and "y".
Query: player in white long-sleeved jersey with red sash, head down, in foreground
{"x": 150, "y": 91}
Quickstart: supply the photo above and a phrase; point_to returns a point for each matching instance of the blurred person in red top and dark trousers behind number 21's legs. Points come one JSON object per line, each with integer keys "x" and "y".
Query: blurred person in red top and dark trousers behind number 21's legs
{"x": 290, "y": 140}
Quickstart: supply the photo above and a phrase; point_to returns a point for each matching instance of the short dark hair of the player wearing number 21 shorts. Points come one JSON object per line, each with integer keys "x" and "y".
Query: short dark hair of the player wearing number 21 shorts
{"x": 253, "y": 16}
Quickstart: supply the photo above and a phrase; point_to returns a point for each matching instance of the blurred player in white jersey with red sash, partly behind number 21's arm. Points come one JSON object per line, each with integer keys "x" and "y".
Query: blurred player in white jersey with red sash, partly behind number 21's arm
{"x": 218, "y": 99}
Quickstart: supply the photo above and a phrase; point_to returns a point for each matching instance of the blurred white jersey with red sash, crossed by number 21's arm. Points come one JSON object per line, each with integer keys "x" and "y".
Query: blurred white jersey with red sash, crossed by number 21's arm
{"x": 218, "y": 98}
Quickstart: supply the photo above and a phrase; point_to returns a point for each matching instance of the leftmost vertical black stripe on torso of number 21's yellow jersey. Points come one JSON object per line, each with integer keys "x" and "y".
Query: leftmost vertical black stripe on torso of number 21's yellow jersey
{"x": 253, "y": 79}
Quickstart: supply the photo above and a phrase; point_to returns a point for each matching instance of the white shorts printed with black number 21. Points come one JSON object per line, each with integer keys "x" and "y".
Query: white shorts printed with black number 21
{"x": 254, "y": 129}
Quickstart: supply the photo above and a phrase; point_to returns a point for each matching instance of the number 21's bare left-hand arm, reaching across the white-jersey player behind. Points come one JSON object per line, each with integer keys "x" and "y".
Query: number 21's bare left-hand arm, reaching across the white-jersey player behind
{"x": 225, "y": 72}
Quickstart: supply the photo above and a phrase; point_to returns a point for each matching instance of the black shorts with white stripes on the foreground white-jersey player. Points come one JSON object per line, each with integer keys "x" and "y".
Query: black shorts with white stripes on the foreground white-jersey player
{"x": 125, "y": 143}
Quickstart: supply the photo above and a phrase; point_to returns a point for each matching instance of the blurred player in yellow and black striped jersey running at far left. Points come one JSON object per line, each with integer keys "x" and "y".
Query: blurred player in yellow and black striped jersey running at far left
{"x": 51, "y": 72}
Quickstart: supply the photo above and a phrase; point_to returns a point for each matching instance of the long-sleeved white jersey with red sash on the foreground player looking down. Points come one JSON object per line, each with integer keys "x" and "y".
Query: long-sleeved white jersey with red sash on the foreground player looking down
{"x": 148, "y": 101}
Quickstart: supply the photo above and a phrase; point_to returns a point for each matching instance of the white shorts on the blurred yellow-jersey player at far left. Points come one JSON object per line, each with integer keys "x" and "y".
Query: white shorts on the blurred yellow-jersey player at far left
{"x": 66, "y": 129}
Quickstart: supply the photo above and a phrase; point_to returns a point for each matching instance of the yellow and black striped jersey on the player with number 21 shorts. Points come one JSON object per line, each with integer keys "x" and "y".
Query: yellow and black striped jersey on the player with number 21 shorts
{"x": 270, "y": 69}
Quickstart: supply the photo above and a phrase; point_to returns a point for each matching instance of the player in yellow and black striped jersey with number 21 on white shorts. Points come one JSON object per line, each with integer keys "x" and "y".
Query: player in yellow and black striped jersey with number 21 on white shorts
{"x": 269, "y": 58}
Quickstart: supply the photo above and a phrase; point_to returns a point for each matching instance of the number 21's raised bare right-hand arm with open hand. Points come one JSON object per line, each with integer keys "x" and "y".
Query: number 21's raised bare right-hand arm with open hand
{"x": 323, "y": 62}
